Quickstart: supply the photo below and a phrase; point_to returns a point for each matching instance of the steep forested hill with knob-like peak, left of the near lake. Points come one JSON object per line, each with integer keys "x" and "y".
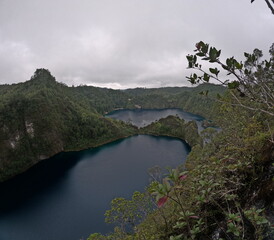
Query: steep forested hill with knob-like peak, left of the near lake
{"x": 42, "y": 117}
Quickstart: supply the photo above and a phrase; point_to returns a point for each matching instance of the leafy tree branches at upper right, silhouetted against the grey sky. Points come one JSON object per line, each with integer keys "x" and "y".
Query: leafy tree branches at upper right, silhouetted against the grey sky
{"x": 250, "y": 83}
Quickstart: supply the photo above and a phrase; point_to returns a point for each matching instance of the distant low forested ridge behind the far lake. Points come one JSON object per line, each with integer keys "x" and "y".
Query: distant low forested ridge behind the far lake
{"x": 187, "y": 98}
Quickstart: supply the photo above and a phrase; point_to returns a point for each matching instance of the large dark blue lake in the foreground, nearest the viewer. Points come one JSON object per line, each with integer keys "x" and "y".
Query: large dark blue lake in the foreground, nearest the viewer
{"x": 65, "y": 197}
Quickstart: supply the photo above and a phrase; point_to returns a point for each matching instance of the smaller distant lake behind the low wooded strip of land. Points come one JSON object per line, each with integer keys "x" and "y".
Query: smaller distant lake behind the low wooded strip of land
{"x": 143, "y": 117}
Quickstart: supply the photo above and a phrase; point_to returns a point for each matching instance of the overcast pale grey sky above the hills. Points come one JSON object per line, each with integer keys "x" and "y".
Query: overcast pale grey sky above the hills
{"x": 124, "y": 43}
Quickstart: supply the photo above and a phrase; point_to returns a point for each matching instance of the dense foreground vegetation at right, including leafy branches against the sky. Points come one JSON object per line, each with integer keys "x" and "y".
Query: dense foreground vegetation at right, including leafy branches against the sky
{"x": 226, "y": 189}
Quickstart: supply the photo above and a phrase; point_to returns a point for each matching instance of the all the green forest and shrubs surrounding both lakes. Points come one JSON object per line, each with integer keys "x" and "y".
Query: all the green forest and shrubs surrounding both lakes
{"x": 225, "y": 191}
